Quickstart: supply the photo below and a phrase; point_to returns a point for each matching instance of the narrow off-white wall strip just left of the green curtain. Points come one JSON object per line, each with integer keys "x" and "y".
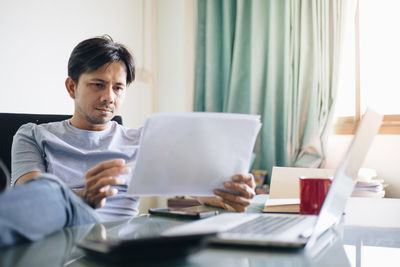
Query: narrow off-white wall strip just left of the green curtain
{"x": 175, "y": 58}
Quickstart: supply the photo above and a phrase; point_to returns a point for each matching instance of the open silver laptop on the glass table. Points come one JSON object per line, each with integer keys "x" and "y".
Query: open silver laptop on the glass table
{"x": 292, "y": 230}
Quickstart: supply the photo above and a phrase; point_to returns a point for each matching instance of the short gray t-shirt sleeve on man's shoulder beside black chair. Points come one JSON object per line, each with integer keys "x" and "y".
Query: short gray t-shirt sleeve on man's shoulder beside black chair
{"x": 26, "y": 153}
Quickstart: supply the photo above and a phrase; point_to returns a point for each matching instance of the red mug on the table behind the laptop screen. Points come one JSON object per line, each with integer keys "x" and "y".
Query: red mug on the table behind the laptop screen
{"x": 312, "y": 194}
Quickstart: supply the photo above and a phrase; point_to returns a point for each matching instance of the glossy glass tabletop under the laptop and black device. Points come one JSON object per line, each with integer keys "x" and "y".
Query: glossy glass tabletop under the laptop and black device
{"x": 353, "y": 245}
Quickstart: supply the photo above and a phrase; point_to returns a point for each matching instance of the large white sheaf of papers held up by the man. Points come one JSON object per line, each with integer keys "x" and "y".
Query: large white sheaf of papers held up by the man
{"x": 192, "y": 153}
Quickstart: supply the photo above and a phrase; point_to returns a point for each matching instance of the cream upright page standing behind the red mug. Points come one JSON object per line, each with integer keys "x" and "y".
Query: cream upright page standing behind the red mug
{"x": 285, "y": 180}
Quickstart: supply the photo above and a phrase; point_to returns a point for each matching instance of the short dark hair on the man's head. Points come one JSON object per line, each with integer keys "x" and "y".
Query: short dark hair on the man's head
{"x": 91, "y": 54}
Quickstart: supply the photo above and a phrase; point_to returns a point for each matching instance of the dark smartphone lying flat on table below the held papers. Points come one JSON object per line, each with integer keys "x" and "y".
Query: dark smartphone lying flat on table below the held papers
{"x": 196, "y": 212}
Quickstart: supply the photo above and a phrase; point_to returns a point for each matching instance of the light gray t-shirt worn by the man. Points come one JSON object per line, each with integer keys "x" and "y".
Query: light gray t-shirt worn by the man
{"x": 69, "y": 152}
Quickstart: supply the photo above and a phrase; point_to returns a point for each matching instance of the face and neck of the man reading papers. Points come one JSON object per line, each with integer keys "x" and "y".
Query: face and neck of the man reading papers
{"x": 98, "y": 95}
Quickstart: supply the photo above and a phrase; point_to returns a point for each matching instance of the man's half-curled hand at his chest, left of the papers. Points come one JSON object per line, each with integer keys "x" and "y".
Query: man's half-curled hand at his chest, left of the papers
{"x": 99, "y": 179}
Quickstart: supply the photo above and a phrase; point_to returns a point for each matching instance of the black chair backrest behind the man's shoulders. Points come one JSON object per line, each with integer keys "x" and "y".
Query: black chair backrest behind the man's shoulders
{"x": 10, "y": 123}
